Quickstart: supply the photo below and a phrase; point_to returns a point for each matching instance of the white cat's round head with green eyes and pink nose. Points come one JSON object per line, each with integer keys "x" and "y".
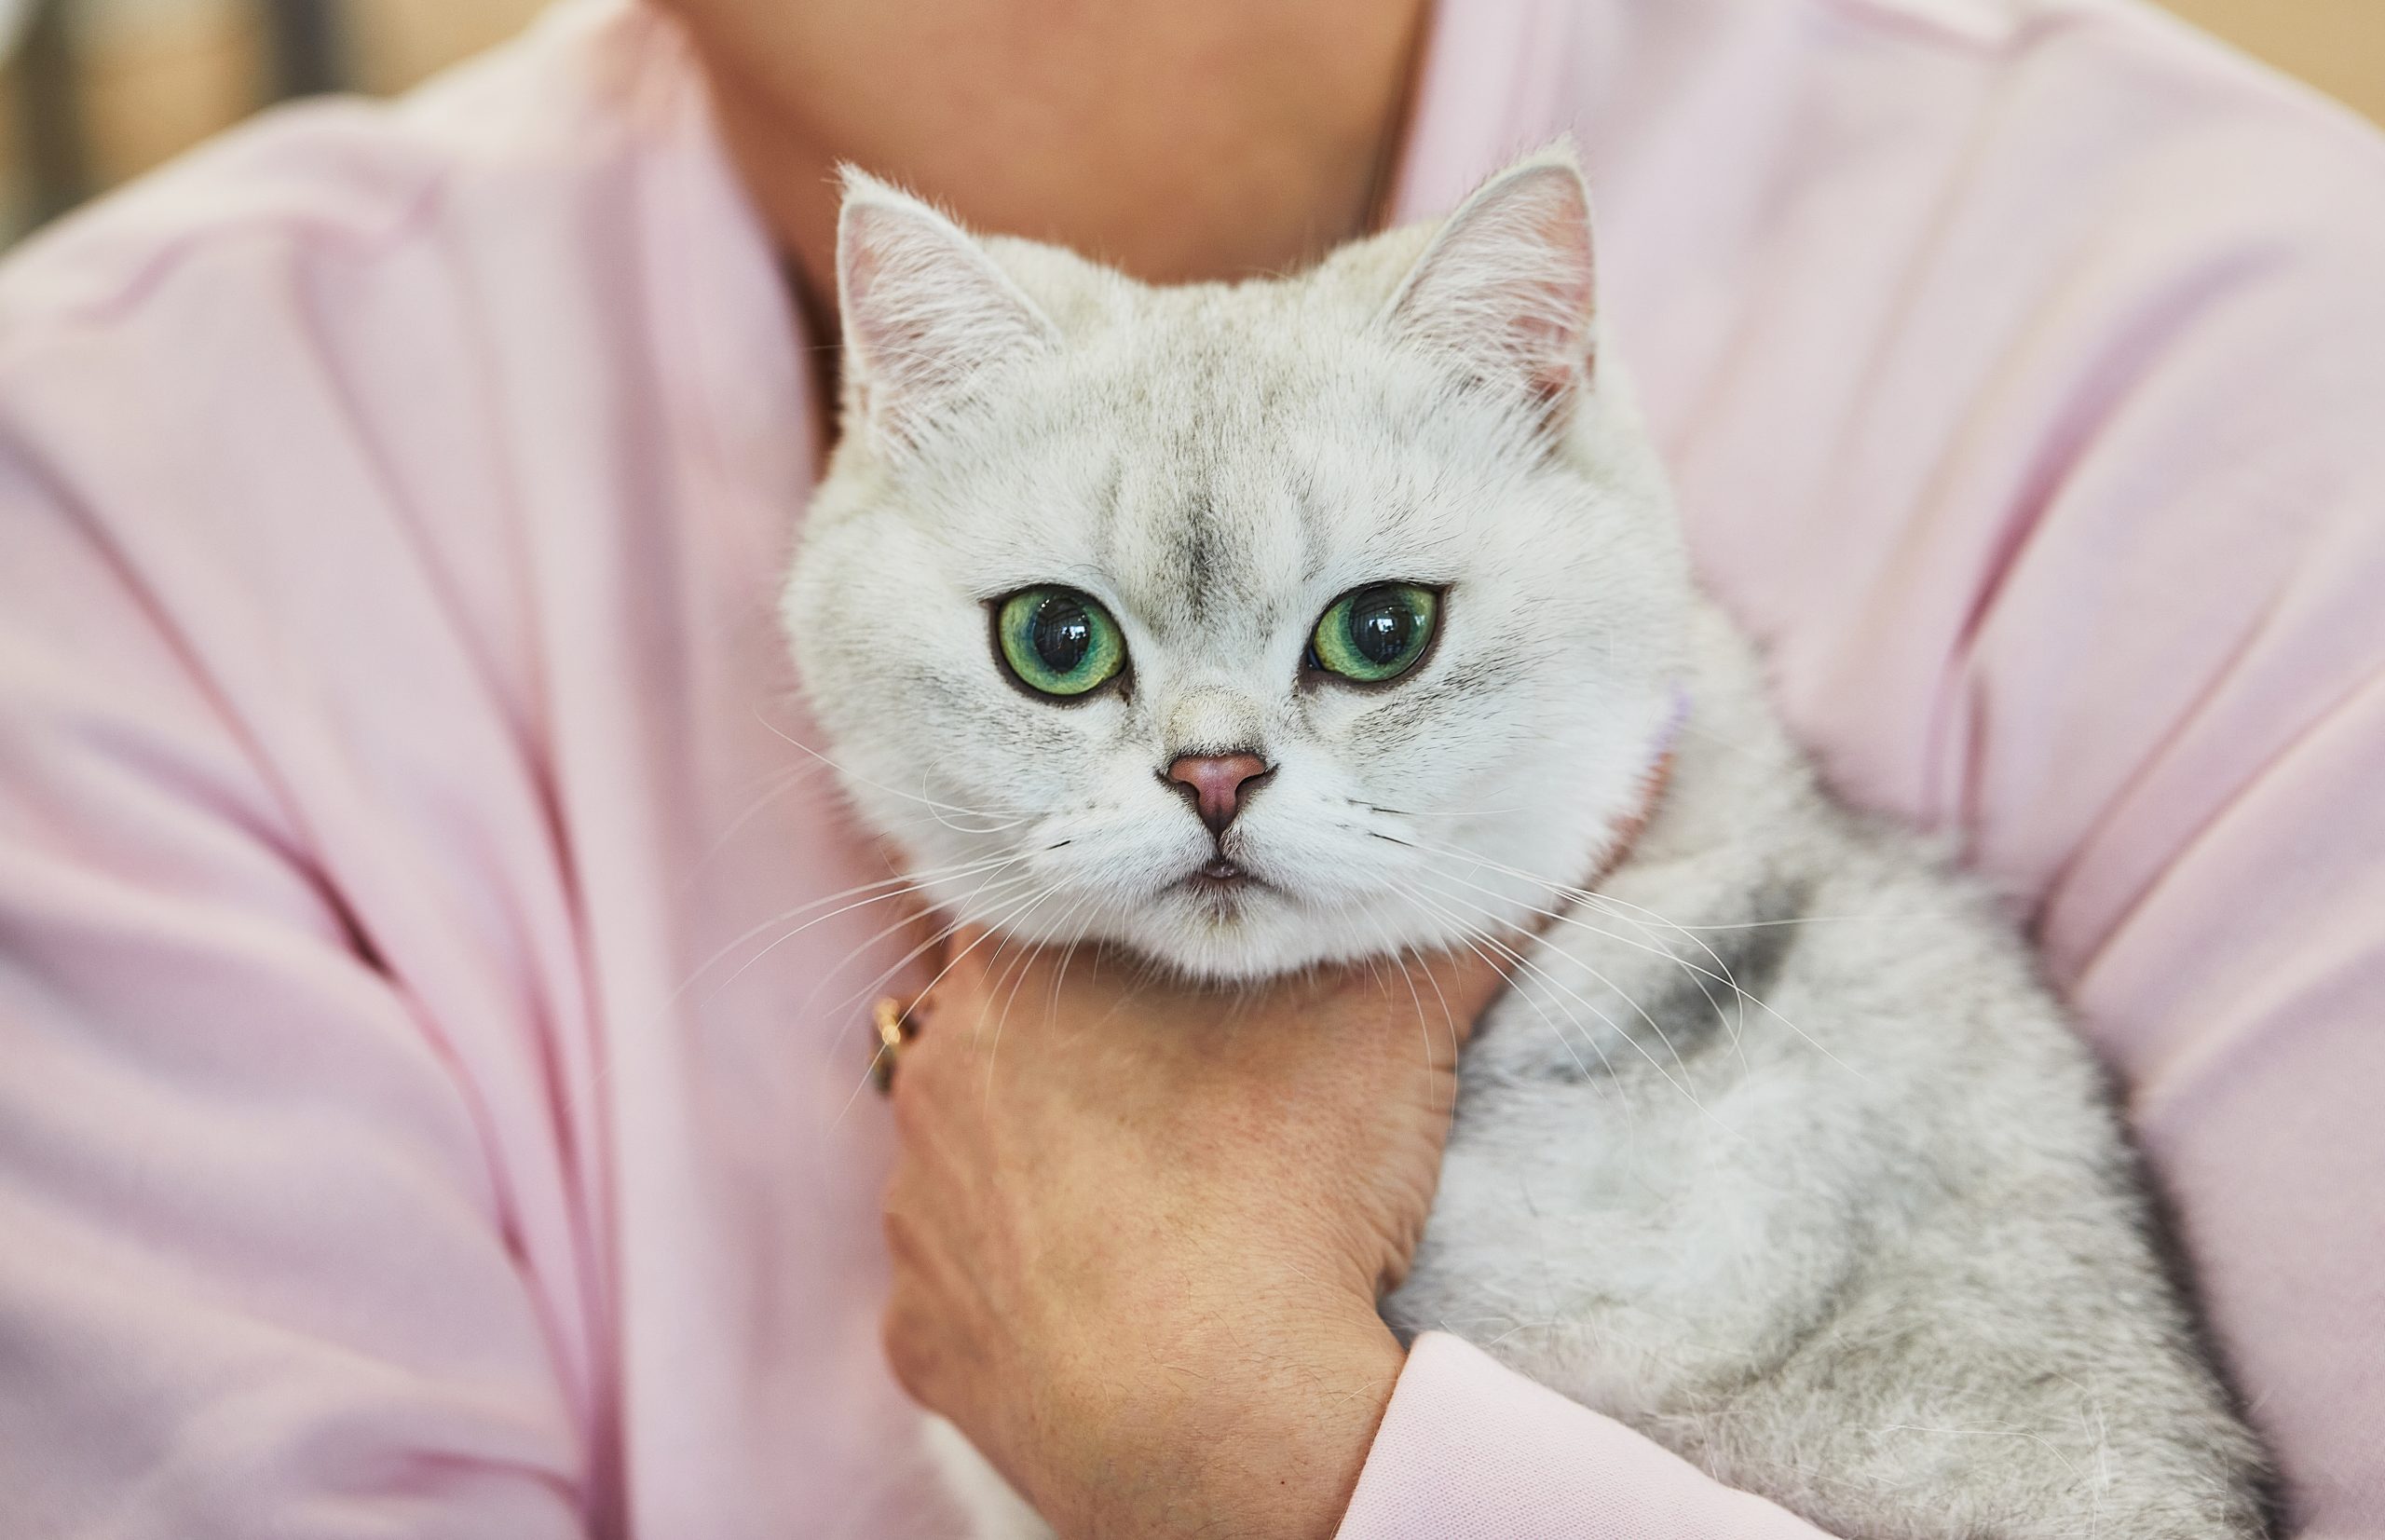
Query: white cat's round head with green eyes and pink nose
{"x": 1244, "y": 626}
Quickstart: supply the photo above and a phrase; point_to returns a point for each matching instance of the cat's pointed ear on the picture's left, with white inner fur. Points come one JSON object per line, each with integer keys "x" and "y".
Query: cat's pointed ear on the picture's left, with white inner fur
{"x": 927, "y": 313}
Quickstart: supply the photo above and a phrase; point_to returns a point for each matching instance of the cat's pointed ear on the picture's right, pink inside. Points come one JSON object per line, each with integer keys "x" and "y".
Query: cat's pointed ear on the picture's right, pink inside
{"x": 1506, "y": 290}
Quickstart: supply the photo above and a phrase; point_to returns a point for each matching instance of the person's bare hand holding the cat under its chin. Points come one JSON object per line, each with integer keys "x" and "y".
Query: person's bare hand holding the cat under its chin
{"x": 1139, "y": 1229}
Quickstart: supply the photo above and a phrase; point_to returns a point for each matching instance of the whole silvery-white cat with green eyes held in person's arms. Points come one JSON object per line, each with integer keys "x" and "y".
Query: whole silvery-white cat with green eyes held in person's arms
{"x": 1318, "y": 619}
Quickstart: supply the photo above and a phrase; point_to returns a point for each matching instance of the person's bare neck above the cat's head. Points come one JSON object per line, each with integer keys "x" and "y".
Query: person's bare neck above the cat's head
{"x": 1189, "y": 142}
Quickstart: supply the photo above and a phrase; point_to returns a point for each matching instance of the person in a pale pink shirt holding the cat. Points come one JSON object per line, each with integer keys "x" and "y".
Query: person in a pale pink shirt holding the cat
{"x": 435, "y": 974}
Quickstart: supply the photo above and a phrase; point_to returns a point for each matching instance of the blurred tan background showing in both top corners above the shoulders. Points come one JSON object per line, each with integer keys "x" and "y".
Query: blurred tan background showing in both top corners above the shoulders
{"x": 94, "y": 92}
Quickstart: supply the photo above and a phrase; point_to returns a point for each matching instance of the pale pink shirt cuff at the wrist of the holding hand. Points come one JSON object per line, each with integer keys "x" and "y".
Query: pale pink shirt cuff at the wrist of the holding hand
{"x": 1473, "y": 1451}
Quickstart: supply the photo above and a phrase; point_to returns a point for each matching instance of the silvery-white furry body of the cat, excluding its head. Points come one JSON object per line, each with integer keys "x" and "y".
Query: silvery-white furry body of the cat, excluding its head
{"x": 1845, "y": 1217}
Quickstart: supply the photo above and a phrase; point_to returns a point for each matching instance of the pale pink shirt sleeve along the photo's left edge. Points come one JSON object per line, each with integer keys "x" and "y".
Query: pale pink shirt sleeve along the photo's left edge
{"x": 256, "y": 1272}
